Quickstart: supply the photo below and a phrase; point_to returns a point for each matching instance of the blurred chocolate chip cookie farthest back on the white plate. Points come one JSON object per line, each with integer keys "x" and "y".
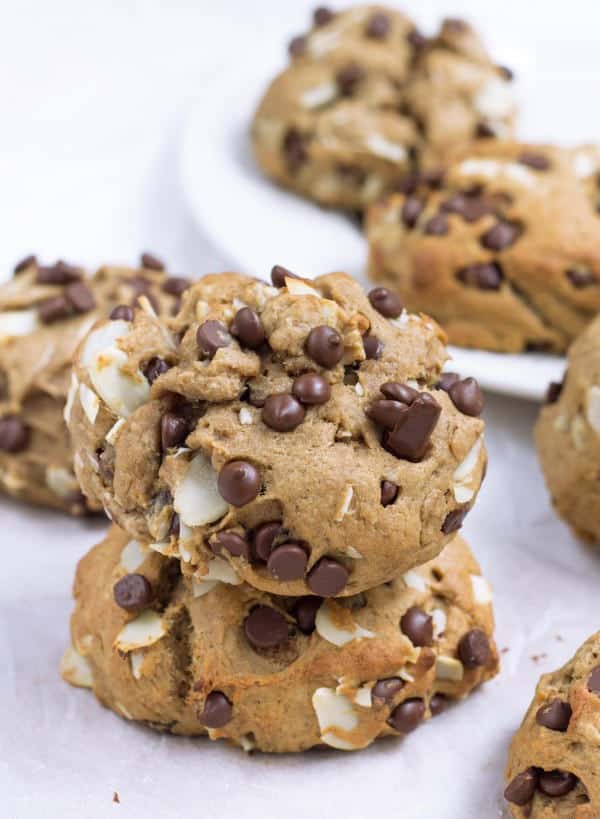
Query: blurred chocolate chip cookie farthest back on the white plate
{"x": 366, "y": 99}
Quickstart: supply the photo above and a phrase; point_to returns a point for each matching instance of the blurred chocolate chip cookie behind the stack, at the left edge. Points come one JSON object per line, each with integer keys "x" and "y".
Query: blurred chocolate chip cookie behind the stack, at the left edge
{"x": 44, "y": 313}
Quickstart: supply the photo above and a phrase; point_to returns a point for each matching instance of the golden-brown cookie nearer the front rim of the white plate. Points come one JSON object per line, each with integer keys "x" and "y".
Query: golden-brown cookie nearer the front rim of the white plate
{"x": 505, "y": 254}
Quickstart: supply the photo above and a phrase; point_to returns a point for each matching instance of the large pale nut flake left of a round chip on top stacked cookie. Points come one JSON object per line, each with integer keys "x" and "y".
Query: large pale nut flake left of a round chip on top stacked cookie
{"x": 197, "y": 499}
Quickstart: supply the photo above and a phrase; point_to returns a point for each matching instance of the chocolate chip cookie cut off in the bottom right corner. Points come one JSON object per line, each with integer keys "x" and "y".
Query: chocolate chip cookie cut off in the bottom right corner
{"x": 553, "y": 766}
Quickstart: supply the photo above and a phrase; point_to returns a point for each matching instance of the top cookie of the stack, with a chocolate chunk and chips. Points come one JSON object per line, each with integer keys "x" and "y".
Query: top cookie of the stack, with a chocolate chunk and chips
{"x": 299, "y": 431}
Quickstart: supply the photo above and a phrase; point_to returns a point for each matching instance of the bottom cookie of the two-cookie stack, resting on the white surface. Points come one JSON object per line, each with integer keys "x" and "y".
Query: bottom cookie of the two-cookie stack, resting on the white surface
{"x": 277, "y": 674}
